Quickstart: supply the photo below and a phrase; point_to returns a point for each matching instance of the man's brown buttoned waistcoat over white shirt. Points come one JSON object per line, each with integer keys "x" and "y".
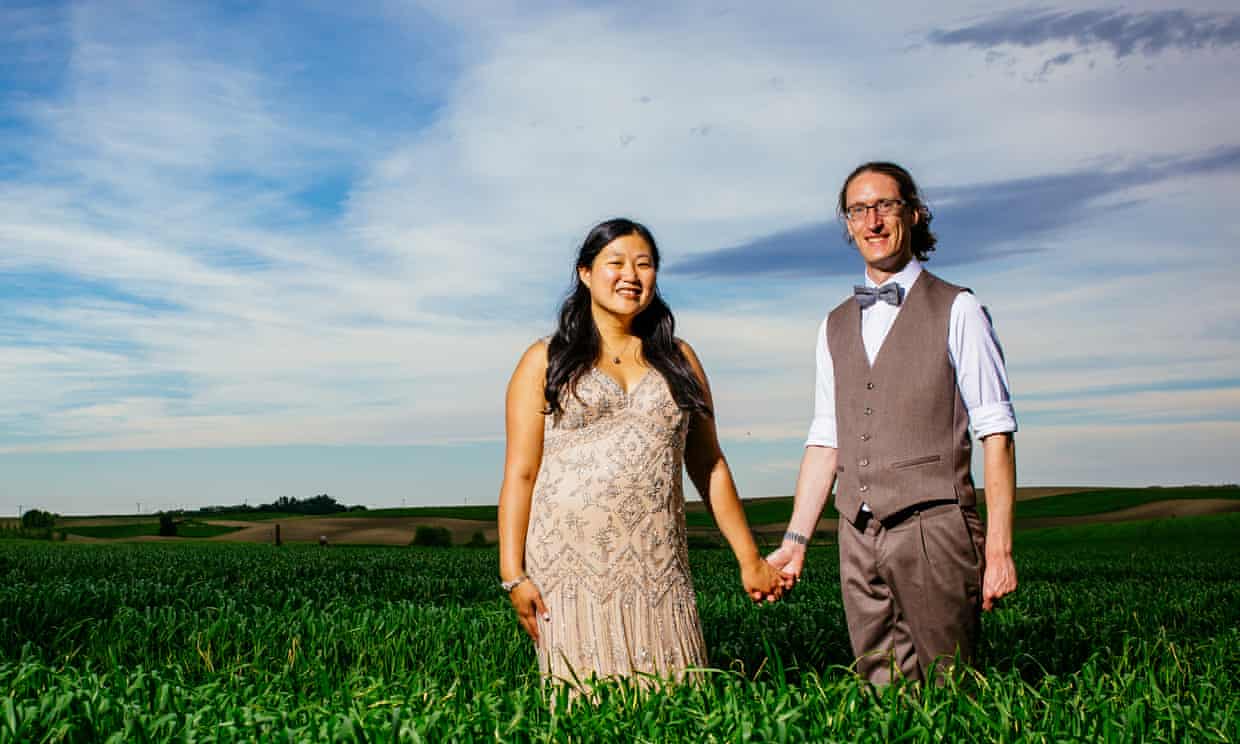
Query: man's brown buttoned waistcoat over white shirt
{"x": 902, "y": 427}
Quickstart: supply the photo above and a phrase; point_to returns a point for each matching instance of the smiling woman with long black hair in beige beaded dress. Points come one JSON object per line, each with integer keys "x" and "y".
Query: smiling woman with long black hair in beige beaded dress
{"x": 601, "y": 418}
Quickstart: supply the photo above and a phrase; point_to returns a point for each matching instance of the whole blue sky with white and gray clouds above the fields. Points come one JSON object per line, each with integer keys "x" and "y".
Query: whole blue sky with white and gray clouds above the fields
{"x": 259, "y": 250}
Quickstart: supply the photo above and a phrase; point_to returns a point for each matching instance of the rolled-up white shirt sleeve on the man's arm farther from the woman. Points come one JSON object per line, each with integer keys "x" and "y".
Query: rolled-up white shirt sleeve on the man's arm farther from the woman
{"x": 981, "y": 373}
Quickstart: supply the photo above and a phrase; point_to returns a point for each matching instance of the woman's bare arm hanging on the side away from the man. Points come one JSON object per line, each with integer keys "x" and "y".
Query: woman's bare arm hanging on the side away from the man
{"x": 524, "y": 423}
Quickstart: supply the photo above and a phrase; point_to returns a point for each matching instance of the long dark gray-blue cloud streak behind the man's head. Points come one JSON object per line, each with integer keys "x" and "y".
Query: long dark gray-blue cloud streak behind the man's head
{"x": 978, "y": 223}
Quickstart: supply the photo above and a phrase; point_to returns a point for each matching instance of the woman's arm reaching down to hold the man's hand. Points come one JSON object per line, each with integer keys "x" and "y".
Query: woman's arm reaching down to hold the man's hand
{"x": 711, "y": 476}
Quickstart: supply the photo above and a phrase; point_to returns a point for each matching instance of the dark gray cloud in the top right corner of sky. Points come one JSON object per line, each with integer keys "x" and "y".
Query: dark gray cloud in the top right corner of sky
{"x": 1127, "y": 34}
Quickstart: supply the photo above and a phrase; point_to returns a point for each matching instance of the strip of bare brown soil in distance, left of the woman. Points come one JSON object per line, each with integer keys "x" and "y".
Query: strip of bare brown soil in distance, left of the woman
{"x": 380, "y": 531}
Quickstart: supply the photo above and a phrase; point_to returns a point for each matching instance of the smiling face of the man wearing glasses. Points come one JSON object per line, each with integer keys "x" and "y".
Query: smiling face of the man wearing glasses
{"x": 886, "y": 244}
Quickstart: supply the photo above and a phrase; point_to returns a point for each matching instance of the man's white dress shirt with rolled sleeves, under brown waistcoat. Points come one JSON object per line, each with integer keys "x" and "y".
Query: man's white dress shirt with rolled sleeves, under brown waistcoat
{"x": 973, "y": 349}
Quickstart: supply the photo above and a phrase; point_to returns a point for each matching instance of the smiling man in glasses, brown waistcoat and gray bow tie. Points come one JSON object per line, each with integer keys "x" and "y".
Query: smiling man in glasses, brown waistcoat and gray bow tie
{"x": 905, "y": 369}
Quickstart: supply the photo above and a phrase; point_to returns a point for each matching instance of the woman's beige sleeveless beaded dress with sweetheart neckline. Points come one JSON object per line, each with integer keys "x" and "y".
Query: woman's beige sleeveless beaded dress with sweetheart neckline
{"x": 606, "y": 544}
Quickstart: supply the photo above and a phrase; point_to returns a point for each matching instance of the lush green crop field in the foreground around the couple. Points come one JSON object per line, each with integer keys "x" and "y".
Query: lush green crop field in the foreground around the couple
{"x": 1118, "y": 633}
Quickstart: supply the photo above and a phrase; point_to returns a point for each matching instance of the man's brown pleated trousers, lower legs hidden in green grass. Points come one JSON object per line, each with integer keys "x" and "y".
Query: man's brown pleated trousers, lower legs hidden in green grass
{"x": 912, "y": 590}
